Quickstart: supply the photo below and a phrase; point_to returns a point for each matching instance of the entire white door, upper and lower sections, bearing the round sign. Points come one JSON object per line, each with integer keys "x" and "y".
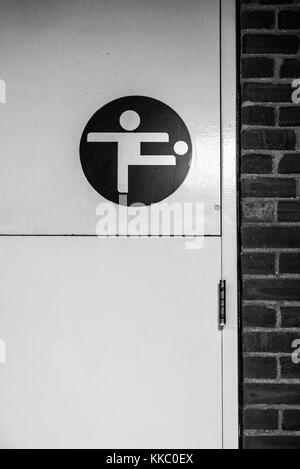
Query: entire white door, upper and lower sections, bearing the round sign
{"x": 112, "y": 340}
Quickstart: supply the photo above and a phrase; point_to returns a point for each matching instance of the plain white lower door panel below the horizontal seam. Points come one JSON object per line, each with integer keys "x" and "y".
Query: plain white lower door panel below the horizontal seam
{"x": 111, "y": 343}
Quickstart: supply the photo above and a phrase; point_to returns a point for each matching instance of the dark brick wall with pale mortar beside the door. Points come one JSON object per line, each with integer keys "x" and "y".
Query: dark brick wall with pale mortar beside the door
{"x": 270, "y": 185}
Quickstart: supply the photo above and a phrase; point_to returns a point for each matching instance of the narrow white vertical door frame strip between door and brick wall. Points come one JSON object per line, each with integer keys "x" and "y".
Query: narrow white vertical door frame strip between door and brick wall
{"x": 229, "y": 221}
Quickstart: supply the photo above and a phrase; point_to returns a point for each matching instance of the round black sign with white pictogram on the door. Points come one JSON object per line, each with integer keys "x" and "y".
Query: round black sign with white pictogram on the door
{"x": 136, "y": 147}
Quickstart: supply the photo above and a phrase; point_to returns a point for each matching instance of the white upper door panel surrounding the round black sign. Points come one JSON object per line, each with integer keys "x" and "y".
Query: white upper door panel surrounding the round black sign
{"x": 62, "y": 62}
